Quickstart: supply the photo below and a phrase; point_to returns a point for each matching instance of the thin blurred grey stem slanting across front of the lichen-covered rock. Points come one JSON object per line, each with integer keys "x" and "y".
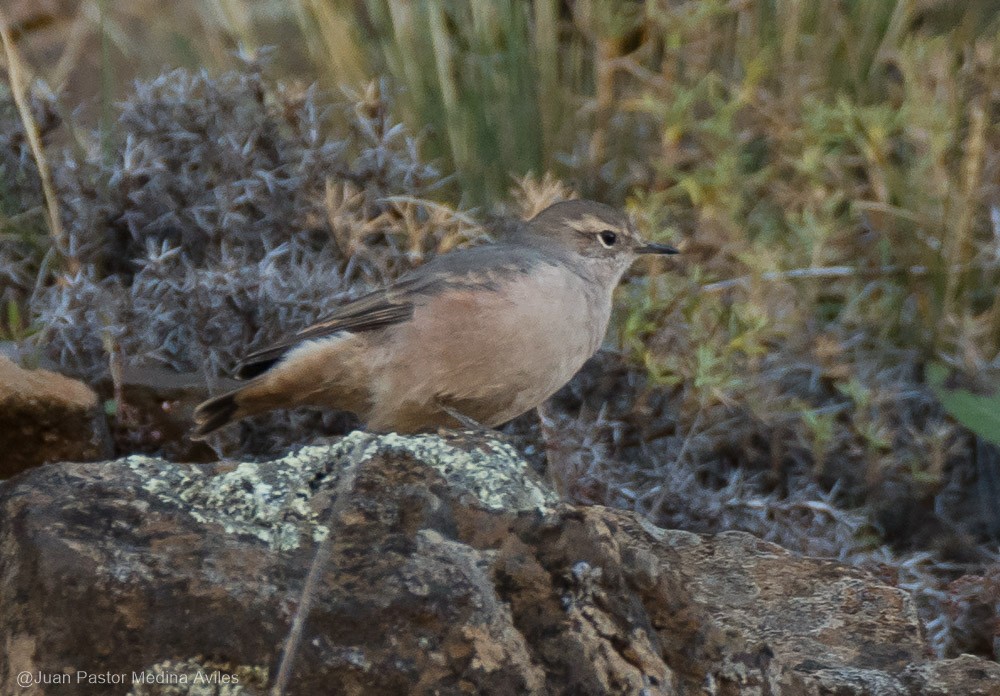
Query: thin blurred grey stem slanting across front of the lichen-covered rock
{"x": 319, "y": 564}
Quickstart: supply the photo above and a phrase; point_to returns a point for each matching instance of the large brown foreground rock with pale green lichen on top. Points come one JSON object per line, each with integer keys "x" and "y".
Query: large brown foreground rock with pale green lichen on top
{"x": 451, "y": 570}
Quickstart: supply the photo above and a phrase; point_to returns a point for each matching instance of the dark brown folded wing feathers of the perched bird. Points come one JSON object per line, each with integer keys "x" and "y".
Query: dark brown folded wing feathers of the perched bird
{"x": 375, "y": 310}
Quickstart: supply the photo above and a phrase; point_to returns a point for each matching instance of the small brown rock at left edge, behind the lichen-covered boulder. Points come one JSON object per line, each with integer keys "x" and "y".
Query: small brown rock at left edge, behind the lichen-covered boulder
{"x": 46, "y": 417}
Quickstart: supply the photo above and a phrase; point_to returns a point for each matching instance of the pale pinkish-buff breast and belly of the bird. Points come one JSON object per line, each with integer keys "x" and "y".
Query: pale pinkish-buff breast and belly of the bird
{"x": 491, "y": 355}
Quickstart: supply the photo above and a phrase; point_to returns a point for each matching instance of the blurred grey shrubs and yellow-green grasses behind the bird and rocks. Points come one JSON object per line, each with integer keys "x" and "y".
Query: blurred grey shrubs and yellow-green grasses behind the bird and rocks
{"x": 830, "y": 169}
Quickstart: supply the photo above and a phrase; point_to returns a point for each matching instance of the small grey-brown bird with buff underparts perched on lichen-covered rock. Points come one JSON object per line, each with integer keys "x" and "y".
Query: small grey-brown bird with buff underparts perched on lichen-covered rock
{"x": 472, "y": 338}
